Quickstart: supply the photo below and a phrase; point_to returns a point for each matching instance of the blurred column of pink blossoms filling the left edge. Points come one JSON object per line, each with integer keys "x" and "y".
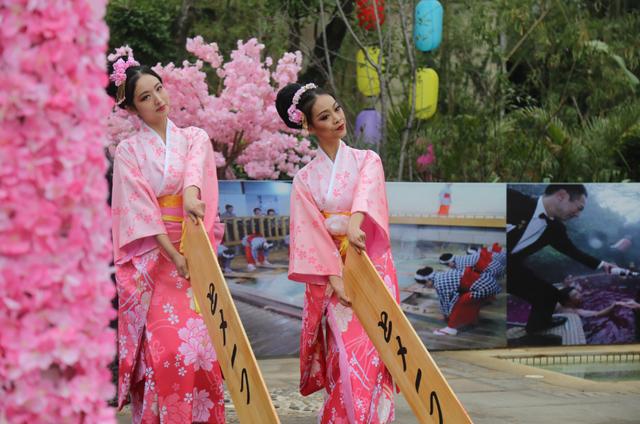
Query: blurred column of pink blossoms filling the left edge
{"x": 55, "y": 248}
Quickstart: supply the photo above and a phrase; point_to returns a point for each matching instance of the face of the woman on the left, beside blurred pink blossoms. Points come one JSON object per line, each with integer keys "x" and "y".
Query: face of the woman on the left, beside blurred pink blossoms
{"x": 151, "y": 100}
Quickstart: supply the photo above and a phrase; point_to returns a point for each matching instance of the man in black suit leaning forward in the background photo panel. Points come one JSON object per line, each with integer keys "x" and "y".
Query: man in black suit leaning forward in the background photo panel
{"x": 532, "y": 224}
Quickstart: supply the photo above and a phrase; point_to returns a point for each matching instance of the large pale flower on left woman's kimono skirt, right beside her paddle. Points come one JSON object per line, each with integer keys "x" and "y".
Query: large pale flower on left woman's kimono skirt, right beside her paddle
{"x": 196, "y": 347}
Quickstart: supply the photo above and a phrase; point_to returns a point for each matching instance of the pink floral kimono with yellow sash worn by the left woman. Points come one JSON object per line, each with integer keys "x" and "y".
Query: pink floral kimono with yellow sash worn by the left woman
{"x": 166, "y": 361}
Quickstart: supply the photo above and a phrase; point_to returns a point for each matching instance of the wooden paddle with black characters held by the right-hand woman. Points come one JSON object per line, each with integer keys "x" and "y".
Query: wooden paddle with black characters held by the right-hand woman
{"x": 400, "y": 348}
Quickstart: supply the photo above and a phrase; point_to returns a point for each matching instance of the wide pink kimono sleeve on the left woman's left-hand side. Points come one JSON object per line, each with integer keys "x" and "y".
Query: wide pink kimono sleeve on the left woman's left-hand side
{"x": 135, "y": 209}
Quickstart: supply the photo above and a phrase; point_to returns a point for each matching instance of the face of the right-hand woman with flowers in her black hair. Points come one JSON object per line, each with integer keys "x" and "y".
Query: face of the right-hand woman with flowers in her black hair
{"x": 327, "y": 119}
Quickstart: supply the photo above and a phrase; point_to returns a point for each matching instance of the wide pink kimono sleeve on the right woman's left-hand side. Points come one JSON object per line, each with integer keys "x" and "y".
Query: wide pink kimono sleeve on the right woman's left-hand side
{"x": 313, "y": 253}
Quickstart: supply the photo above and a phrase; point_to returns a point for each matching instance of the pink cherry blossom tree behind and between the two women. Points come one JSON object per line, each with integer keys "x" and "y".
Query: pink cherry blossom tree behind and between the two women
{"x": 241, "y": 120}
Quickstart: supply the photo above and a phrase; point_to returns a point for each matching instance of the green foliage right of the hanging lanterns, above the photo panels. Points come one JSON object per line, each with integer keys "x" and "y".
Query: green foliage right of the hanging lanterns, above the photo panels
{"x": 537, "y": 90}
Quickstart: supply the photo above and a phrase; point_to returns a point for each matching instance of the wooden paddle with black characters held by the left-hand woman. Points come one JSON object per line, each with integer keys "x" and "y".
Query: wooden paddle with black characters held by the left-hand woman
{"x": 238, "y": 364}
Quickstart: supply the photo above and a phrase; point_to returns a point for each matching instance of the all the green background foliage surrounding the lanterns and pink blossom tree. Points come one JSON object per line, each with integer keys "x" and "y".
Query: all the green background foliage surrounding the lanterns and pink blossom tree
{"x": 530, "y": 90}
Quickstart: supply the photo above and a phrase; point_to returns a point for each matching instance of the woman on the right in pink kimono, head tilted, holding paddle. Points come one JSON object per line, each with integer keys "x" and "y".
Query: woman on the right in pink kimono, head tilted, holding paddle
{"x": 338, "y": 199}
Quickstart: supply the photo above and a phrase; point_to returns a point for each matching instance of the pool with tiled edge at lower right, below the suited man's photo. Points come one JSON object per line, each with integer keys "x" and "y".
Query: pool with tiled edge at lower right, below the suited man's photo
{"x": 595, "y": 367}
